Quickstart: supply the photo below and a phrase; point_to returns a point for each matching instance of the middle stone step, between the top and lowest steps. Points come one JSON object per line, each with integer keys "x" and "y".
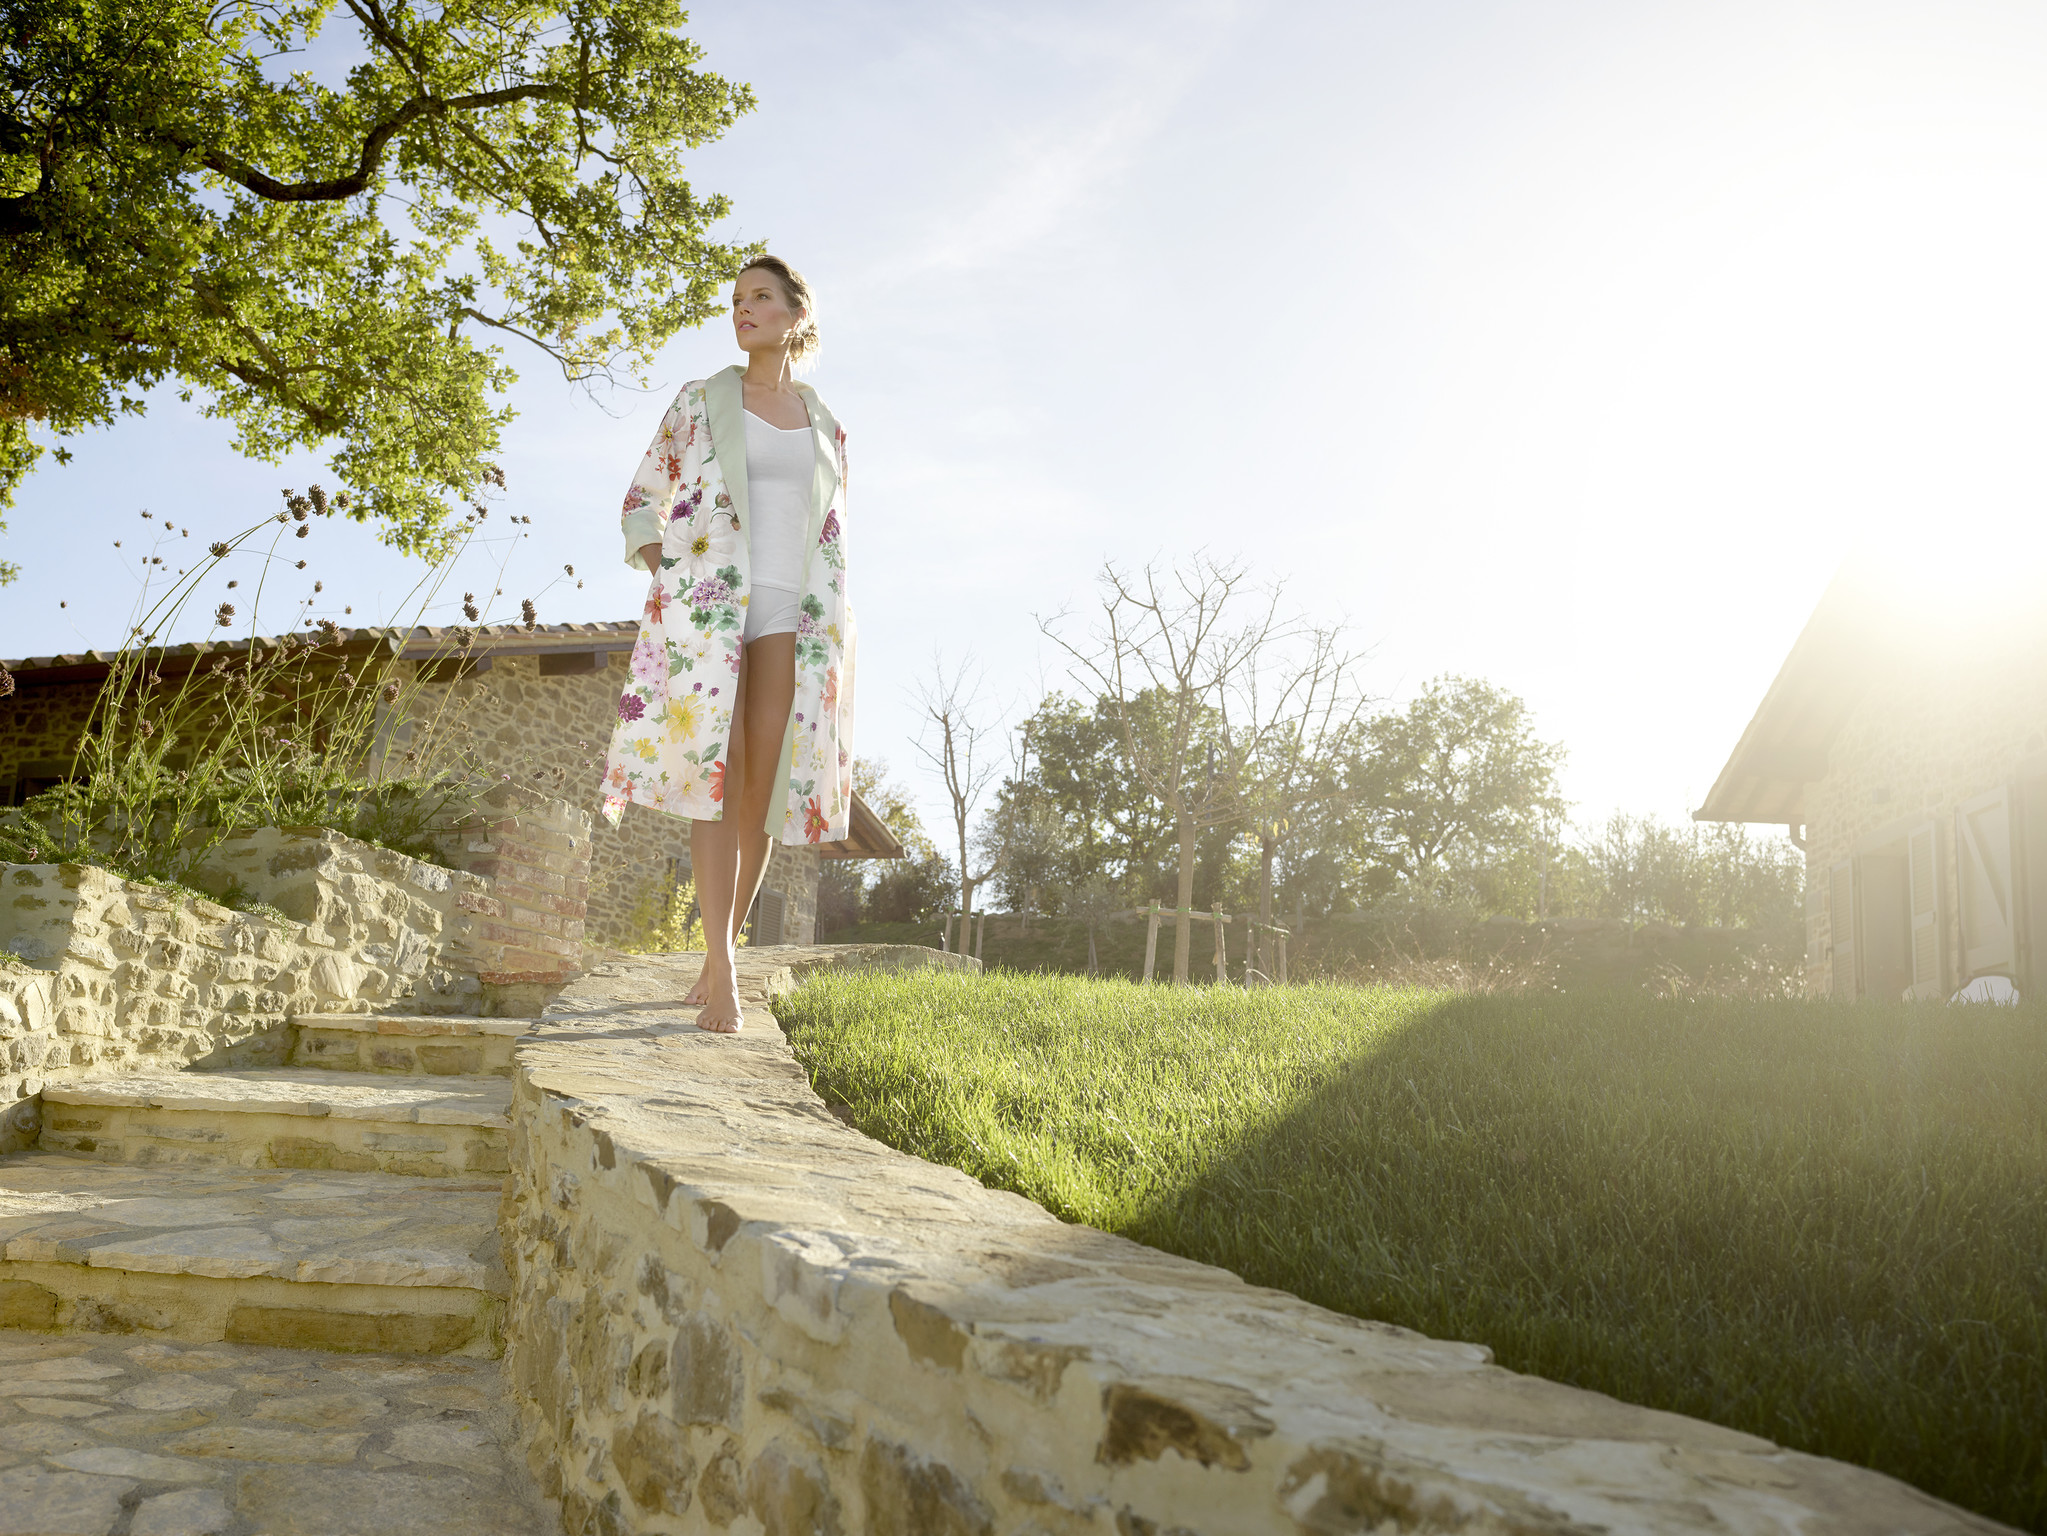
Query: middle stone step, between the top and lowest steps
{"x": 286, "y": 1117}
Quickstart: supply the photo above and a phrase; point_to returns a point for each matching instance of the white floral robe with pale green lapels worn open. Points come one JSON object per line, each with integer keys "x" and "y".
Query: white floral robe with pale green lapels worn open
{"x": 677, "y": 714}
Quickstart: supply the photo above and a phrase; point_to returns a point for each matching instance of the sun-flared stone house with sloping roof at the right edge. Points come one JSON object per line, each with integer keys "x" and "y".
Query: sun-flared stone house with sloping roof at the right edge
{"x": 1905, "y": 746}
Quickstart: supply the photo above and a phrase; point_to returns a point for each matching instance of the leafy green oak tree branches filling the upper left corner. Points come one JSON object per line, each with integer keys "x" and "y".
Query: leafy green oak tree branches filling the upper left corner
{"x": 322, "y": 218}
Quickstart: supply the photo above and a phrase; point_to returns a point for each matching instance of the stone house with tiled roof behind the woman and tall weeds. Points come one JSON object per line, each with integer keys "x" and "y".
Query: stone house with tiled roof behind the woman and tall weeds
{"x": 535, "y": 706}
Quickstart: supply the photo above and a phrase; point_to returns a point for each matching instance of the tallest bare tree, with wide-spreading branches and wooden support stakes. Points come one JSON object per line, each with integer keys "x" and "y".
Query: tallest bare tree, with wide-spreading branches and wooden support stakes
{"x": 1168, "y": 658}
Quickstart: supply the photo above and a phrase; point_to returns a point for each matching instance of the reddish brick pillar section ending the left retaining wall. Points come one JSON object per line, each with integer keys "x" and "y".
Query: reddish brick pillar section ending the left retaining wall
{"x": 535, "y": 855}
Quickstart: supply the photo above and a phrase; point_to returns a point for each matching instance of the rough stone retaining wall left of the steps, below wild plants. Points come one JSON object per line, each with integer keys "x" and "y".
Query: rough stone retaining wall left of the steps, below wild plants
{"x": 120, "y": 976}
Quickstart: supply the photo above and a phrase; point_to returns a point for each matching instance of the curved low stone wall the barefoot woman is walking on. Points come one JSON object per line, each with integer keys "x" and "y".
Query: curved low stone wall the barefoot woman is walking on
{"x": 736, "y": 1314}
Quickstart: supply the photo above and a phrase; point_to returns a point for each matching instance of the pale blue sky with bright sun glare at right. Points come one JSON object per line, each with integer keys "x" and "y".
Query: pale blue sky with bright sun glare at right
{"x": 1567, "y": 345}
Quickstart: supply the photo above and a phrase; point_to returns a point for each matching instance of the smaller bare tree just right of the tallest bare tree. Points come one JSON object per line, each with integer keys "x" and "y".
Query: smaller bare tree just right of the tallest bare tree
{"x": 1303, "y": 710}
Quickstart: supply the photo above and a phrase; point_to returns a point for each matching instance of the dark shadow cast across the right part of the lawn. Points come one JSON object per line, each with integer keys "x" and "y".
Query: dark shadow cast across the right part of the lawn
{"x": 1823, "y": 1226}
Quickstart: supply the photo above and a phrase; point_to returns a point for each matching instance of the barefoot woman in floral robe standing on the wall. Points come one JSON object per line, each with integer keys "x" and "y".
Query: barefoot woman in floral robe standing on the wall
{"x": 740, "y": 714}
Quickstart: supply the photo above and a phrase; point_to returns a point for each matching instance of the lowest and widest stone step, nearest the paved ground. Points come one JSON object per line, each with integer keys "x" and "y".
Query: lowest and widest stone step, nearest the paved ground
{"x": 286, "y": 1258}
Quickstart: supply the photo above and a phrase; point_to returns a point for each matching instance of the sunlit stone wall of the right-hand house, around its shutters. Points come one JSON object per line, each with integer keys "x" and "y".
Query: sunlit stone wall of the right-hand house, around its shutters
{"x": 1925, "y": 738}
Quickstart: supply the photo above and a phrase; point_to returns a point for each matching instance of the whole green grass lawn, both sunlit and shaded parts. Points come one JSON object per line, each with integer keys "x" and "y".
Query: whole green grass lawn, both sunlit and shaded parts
{"x": 1825, "y": 1226}
